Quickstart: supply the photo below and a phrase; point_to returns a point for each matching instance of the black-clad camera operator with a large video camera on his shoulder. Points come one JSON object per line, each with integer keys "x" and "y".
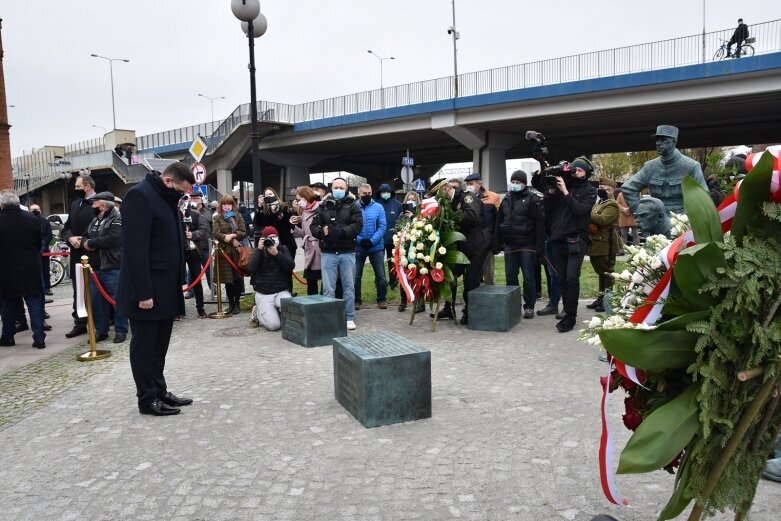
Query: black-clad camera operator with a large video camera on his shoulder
{"x": 568, "y": 203}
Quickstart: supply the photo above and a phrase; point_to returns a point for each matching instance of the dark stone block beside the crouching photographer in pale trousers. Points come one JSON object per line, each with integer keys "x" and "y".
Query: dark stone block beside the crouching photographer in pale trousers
{"x": 313, "y": 320}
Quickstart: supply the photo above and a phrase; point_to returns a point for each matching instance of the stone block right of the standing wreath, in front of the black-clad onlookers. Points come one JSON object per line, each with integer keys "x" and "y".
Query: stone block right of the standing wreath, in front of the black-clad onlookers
{"x": 494, "y": 308}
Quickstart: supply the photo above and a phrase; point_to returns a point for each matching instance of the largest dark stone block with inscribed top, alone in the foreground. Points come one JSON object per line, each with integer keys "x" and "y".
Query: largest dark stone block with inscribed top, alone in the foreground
{"x": 382, "y": 378}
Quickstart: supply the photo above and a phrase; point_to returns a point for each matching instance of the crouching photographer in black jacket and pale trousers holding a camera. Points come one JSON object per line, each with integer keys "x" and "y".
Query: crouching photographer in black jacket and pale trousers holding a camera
{"x": 270, "y": 266}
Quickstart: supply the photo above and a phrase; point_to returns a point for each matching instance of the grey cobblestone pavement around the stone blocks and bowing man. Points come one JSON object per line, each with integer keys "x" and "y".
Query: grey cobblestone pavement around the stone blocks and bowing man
{"x": 513, "y": 435}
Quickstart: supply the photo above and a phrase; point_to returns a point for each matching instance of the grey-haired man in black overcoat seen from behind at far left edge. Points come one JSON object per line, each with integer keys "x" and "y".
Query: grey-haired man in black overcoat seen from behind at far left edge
{"x": 20, "y": 269}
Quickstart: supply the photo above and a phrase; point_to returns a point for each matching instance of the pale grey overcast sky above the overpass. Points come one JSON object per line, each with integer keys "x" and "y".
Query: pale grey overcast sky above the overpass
{"x": 313, "y": 49}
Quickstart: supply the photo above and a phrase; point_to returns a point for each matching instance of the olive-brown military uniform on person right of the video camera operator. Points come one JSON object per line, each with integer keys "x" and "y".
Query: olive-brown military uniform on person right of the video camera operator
{"x": 605, "y": 243}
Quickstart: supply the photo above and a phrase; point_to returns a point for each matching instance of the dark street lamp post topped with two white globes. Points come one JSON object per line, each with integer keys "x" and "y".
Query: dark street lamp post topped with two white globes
{"x": 254, "y": 24}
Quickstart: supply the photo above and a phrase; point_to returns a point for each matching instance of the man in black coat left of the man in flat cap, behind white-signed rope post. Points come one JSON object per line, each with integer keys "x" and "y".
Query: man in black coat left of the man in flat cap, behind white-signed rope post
{"x": 79, "y": 218}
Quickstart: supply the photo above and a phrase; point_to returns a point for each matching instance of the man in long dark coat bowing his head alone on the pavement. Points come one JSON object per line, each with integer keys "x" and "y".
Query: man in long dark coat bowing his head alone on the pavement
{"x": 150, "y": 278}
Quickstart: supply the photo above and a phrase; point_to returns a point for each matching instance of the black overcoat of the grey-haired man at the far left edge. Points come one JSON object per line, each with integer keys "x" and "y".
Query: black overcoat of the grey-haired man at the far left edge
{"x": 20, "y": 261}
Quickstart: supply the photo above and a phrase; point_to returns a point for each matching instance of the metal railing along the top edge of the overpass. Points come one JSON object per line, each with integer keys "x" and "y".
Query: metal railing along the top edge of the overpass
{"x": 676, "y": 52}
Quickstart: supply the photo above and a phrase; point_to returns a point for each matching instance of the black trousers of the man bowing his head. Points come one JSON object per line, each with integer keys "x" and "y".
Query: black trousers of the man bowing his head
{"x": 148, "y": 347}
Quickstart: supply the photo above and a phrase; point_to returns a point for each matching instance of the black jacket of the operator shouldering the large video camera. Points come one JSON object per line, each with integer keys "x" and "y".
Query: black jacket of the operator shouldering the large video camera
{"x": 569, "y": 215}
